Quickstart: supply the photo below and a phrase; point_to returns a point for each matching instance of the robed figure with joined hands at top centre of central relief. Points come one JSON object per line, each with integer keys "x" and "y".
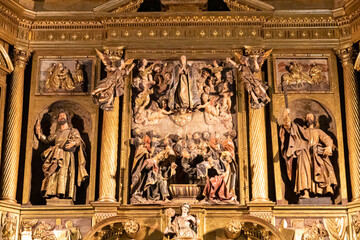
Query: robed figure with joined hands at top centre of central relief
{"x": 183, "y": 90}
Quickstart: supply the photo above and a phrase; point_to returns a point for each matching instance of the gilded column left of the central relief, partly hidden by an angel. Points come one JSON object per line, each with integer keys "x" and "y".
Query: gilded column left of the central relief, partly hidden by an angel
{"x": 109, "y": 145}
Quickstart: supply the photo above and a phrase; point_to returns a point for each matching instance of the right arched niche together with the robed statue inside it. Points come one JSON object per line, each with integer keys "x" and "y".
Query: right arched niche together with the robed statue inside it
{"x": 308, "y": 151}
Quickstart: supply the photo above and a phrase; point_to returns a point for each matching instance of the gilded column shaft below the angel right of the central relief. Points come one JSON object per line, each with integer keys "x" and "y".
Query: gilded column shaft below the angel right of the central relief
{"x": 258, "y": 156}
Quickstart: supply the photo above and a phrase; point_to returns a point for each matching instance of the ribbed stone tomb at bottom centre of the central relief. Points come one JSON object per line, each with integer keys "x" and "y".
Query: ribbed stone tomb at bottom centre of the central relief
{"x": 185, "y": 193}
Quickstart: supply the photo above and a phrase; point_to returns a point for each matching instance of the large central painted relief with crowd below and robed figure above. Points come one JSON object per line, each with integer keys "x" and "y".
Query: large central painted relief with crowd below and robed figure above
{"x": 183, "y": 132}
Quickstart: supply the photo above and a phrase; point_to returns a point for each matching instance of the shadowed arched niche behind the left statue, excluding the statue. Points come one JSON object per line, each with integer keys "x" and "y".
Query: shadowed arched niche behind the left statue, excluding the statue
{"x": 80, "y": 119}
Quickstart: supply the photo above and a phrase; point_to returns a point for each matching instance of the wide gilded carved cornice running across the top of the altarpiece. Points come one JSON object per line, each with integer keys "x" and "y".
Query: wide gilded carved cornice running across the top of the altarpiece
{"x": 100, "y": 25}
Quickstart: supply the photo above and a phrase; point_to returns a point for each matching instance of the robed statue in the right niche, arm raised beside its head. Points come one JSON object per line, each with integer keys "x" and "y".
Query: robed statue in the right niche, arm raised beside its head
{"x": 311, "y": 148}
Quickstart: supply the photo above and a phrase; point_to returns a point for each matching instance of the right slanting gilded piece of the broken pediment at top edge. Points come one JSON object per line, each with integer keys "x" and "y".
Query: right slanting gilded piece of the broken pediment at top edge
{"x": 248, "y": 5}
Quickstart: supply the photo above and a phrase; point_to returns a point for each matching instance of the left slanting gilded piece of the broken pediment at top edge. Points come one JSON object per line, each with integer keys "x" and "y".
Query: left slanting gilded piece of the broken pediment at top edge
{"x": 119, "y": 6}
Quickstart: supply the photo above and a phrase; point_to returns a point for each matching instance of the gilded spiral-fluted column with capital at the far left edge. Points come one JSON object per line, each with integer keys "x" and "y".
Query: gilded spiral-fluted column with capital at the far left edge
{"x": 11, "y": 154}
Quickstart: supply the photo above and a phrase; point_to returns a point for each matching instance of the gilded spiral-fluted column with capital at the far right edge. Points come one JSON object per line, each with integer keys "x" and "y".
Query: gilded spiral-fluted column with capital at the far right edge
{"x": 352, "y": 113}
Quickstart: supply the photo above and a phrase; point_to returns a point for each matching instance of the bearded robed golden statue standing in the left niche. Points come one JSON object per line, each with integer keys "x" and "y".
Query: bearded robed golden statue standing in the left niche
{"x": 59, "y": 160}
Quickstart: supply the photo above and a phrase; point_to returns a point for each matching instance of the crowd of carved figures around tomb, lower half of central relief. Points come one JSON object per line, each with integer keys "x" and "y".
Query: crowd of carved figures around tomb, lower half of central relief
{"x": 198, "y": 158}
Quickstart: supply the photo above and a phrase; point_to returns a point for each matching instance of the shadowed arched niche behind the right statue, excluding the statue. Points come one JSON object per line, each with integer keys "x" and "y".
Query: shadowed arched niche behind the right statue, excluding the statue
{"x": 299, "y": 108}
